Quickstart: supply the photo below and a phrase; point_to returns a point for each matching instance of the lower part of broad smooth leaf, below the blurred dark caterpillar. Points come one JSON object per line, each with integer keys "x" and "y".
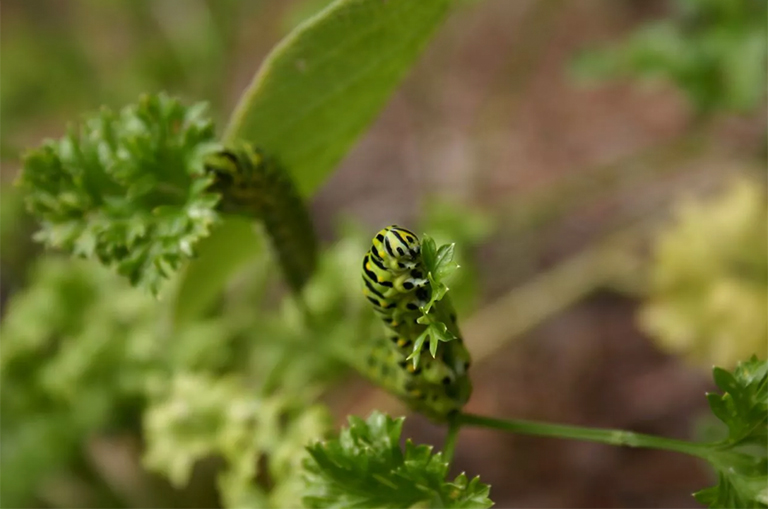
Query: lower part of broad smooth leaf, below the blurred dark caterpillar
{"x": 231, "y": 245}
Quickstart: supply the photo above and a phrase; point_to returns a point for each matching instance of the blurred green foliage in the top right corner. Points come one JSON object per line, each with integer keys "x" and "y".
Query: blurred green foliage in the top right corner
{"x": 714, "y": 50}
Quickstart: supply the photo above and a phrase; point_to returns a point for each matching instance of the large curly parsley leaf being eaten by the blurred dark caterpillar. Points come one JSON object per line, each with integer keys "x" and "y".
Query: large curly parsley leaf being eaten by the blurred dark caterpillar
{"x": 127, "y": 188}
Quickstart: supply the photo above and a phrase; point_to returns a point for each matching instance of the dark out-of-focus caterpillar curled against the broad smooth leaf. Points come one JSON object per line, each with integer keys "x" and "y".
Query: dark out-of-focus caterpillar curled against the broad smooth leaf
{"x": 251, "y": 183}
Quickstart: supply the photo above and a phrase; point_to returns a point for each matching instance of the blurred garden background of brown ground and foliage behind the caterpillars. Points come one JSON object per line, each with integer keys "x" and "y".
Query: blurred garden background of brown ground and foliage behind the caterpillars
{"x": 600, "y": 163}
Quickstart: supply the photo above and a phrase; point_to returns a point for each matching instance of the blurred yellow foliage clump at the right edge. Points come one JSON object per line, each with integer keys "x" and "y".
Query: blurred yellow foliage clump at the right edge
{"x": 708, "y": 291}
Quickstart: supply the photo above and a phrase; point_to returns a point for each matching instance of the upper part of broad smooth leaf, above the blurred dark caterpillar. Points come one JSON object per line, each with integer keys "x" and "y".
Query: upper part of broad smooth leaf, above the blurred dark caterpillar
{"x": 326, "y": 81}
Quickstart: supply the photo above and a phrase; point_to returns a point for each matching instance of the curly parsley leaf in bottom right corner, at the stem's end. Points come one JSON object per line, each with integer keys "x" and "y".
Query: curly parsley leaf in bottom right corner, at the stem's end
{"x": 741, "y": 460}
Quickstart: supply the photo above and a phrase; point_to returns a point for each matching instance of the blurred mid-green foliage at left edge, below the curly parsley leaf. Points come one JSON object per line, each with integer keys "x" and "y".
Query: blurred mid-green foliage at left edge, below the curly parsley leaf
{"x": 78, "y": 351}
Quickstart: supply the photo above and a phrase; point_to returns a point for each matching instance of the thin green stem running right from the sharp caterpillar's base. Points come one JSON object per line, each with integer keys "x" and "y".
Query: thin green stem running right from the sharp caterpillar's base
{"x": 604, "y": 436}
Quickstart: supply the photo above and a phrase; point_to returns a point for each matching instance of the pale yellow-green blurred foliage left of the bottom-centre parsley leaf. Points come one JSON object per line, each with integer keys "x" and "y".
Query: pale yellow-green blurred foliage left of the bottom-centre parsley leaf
{"x": 200, "y": 416}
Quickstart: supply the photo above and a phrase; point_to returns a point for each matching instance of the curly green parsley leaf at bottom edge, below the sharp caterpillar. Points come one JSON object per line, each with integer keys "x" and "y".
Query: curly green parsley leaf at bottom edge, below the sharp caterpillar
{"x": 365, "y": 467}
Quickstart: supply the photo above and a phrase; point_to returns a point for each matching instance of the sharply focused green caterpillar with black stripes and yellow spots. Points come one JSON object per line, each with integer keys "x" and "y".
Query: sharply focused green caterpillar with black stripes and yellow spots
{"x": 395, "y": 282}
